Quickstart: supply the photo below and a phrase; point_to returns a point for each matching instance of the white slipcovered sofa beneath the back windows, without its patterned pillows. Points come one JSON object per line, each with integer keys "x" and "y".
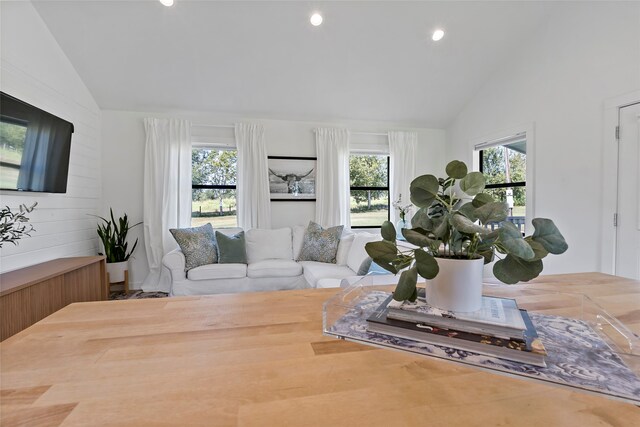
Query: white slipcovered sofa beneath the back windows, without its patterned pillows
{"x": 271, "y": 265}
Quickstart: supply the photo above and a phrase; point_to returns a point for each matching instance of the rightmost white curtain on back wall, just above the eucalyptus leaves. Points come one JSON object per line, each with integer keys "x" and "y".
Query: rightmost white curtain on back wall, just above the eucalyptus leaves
{"x": 402, "y": 150}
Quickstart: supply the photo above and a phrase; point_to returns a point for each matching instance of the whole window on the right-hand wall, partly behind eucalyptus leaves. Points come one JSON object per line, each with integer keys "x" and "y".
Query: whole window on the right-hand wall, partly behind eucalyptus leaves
{"x": 504, "y": 166}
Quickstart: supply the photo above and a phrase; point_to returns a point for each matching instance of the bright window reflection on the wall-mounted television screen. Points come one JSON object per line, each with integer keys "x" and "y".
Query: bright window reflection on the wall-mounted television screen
{"x": 12, "y": 138}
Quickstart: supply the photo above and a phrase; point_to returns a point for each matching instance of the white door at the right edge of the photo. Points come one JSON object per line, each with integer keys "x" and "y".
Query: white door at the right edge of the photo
{"x": 628, "y": 229}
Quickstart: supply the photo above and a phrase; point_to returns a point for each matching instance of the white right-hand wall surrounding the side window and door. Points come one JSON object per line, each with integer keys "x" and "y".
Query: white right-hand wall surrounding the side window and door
{"x": 559, "y": 80}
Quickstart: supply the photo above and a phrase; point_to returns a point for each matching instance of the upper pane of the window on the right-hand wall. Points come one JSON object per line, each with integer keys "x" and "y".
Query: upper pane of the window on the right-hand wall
{"x": 497, "y": 160}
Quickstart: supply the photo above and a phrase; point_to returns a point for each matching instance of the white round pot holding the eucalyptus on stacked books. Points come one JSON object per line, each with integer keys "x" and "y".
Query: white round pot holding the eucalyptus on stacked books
{"x": 458, "y": 285}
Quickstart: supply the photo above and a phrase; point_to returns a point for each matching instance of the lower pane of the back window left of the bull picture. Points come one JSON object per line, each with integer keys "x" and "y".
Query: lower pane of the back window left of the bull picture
{"x": 215, "y": 206}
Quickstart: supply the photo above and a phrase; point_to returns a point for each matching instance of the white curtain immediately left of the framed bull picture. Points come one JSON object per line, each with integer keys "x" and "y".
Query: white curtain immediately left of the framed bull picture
{"x": 254, "y": 208}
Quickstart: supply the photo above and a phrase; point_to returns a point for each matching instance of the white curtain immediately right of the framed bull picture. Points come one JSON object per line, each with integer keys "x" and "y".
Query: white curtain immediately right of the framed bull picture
{"x": 332, "y": 179}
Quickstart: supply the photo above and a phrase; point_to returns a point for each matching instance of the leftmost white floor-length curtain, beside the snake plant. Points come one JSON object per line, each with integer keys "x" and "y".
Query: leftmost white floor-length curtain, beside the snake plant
{"x": 167, "y": 192}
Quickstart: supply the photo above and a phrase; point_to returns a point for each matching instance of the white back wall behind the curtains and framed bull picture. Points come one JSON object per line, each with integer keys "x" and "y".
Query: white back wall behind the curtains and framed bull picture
{"x": 123, "y": 159}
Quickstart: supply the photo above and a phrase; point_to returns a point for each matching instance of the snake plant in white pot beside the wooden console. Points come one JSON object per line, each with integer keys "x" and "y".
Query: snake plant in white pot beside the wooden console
{"x": 113, "y": 235}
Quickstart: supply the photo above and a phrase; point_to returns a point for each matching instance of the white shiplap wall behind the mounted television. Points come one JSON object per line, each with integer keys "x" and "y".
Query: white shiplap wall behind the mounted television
{"x": 34, "y": 69}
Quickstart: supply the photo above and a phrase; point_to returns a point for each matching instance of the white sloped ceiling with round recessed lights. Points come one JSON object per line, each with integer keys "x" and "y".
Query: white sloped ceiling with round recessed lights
{"x": 368, "y": 60}
